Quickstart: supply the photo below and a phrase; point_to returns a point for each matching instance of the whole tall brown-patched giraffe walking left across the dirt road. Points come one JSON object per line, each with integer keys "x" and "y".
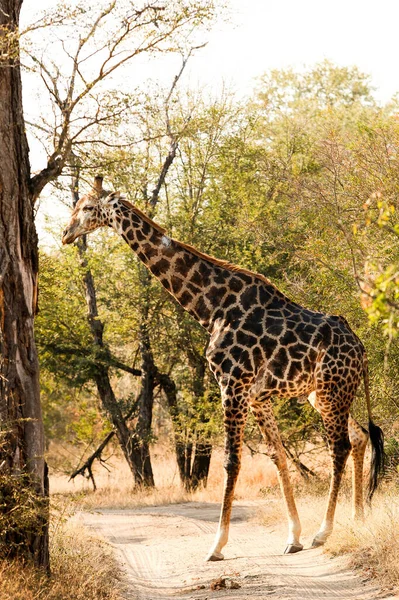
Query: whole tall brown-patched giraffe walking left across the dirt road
{"x": 261, "y": 345}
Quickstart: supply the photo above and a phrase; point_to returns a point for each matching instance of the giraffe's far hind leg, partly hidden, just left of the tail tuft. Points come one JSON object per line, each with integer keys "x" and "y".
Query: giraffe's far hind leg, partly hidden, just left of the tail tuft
{"x": 358, "y": 439}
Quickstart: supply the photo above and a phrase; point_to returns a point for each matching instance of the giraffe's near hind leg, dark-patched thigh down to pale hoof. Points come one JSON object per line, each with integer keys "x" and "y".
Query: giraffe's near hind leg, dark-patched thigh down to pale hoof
{"x": 339, "y": 445}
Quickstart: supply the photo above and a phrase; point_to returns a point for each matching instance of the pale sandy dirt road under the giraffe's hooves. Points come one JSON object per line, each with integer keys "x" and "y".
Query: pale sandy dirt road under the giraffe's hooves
{"x": 162, "y": 552}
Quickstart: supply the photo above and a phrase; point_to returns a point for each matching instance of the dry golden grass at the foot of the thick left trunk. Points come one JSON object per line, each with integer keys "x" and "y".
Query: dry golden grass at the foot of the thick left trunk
{"x": 82, "y": 566}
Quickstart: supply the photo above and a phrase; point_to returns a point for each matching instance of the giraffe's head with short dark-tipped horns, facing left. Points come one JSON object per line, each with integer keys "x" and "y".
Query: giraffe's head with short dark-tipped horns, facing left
{"x": 89, "y": 213}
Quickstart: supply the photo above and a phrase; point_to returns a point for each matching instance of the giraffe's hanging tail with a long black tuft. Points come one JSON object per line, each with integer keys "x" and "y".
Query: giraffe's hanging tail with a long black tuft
{"x": 376, "y": 434}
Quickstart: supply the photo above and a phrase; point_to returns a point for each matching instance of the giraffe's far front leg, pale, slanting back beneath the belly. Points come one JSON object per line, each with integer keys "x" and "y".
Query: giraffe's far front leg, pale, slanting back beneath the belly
{"x": 263, "y": 413}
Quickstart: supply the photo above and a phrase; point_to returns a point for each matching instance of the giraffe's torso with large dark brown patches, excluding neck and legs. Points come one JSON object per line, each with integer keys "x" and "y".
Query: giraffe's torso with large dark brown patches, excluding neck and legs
{"x": 272, "y": 345}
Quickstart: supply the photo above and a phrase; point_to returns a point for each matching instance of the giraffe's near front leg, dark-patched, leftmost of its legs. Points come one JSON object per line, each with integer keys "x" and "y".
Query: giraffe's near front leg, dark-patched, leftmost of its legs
{"x": 234, "y": 422}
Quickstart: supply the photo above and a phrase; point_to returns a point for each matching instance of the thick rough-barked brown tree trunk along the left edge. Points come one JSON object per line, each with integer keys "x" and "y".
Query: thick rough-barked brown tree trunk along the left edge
{"x": 22, "y": 437}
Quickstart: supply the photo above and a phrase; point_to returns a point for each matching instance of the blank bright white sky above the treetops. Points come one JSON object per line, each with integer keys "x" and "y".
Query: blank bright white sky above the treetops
{"x": 268, "y": 34}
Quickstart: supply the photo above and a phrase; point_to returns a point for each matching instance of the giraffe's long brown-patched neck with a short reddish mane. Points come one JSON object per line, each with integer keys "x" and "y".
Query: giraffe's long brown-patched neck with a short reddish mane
{"x": 206, "y": 290}
